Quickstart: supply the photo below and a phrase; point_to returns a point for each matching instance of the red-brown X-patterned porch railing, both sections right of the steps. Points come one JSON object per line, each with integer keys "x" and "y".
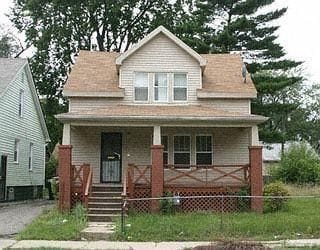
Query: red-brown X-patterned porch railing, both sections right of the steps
{"x": 189, "y": 176}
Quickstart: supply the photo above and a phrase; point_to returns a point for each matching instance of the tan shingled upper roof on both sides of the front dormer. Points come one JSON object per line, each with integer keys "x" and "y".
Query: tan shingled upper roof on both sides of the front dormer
{"x": 95, "y": 74}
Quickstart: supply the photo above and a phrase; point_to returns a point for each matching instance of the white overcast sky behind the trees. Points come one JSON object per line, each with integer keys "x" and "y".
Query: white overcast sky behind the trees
{"x": 299, "y": 32}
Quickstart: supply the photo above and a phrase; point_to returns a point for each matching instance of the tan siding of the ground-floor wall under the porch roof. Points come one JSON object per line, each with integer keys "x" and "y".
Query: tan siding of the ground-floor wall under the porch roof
{"x": 230, "y": 145}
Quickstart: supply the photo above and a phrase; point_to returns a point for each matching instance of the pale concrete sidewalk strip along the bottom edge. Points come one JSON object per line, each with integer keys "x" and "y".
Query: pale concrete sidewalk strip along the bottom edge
{"x": 97, "y": 245}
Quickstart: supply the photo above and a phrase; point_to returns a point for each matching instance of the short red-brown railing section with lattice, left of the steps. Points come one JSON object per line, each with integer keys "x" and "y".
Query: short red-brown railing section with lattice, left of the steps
{"x": 81, "y": 182}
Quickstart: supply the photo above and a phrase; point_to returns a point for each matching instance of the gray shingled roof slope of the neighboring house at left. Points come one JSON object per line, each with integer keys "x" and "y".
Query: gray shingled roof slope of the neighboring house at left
{"x": 9, "y": 68}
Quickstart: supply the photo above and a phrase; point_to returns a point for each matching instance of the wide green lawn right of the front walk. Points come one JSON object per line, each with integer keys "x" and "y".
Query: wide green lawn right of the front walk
{"x": 301, "y": 219}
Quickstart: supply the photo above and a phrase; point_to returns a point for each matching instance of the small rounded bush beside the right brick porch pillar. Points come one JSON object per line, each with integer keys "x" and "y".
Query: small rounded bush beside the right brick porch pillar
{"x": 275, "y": 204}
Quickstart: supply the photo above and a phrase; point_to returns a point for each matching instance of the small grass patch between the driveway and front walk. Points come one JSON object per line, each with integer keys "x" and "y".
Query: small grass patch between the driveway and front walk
{"x": 53, "y": 225}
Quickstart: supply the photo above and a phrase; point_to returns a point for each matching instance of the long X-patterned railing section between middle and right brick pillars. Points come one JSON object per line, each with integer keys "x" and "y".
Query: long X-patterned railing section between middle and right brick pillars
{"x": 206, "y": 175}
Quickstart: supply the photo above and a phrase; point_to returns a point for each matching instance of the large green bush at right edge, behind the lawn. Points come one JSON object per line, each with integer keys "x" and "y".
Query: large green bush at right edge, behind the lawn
{"x": 299, "y": 165}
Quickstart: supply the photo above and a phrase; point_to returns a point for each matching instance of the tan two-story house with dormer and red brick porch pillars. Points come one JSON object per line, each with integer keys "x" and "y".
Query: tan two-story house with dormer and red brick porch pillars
{"x": 159, "y": 118}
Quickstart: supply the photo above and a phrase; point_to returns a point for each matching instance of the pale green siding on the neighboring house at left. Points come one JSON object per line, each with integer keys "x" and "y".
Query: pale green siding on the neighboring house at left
{"x": 27, "y": 129}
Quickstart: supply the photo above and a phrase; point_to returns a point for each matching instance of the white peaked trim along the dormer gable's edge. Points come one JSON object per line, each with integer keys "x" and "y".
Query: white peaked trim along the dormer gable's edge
{"x": 168, "y": 34}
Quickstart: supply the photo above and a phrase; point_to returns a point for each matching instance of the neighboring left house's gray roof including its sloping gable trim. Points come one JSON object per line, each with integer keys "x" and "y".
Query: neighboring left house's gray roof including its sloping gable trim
{"x": 9, "y": 69}
